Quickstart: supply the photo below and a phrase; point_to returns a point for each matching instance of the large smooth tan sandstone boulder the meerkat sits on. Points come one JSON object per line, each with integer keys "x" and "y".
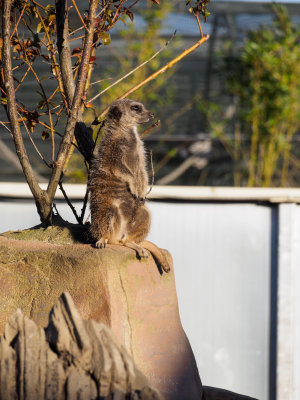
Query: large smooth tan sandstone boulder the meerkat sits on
{"x": 109, "y": 286}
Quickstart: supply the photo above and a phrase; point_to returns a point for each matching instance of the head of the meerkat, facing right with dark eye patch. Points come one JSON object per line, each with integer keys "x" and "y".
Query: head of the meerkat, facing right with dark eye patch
{"x": 128, "y": 113}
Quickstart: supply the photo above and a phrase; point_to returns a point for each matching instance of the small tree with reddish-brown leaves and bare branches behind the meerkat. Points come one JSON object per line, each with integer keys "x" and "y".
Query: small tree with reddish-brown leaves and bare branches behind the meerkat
{"x": 51, "y": 44}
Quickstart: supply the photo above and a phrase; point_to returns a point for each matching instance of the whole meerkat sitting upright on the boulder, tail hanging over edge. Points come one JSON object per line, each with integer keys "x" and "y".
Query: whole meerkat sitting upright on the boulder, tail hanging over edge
{"x": 118, "y": 183}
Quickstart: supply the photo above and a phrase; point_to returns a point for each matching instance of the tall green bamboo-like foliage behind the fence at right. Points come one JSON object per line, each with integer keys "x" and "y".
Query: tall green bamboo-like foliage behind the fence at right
{"x": 264, "y": 80}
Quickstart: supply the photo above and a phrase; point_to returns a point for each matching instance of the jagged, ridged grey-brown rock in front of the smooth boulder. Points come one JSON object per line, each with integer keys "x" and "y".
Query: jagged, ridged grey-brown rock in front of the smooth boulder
{"x": 75, "y": 359}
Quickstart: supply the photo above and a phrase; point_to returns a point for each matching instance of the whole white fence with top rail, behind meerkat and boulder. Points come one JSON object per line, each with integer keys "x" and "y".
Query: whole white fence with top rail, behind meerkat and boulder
{"x": 237, "y": 269}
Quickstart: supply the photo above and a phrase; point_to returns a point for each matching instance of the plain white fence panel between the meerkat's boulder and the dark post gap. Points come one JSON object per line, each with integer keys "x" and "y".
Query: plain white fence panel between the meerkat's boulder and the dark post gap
{"x": 222, "y": 257}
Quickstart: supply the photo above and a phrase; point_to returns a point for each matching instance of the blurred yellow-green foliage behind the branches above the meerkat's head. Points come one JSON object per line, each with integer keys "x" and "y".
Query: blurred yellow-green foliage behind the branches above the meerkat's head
{"x": 140, "y": 46}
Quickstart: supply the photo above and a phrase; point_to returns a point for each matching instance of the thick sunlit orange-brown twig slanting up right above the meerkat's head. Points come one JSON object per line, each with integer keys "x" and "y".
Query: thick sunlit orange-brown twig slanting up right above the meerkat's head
{"x": 160, "y": 71}
